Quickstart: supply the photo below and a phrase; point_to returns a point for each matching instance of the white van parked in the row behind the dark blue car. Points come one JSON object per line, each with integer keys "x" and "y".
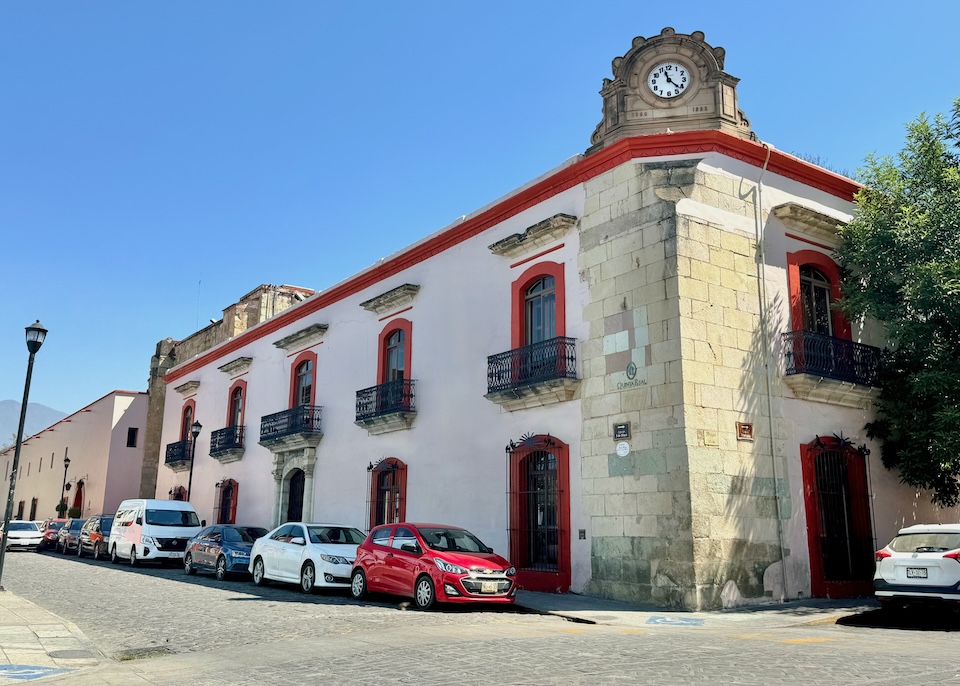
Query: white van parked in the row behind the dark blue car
{"x": 152, "y": 530}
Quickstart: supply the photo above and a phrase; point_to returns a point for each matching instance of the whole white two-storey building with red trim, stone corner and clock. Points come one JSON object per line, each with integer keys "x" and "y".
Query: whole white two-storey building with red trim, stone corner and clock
{"x": 626, "y": 374}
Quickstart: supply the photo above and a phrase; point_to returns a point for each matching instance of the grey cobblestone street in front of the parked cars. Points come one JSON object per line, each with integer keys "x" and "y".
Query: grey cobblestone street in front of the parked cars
{"x": 209, "y": 633}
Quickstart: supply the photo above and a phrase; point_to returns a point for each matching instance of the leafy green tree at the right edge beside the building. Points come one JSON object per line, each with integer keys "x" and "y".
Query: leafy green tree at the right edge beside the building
{"x": 900, "y": 264}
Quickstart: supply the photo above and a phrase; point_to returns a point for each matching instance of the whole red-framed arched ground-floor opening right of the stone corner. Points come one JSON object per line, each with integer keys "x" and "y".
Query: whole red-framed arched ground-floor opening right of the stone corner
{"x": 839, "y": 527}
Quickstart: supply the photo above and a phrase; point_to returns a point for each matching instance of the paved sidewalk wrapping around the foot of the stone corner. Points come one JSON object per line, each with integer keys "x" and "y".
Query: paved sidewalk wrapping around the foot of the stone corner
{"x": 600, "y": 611}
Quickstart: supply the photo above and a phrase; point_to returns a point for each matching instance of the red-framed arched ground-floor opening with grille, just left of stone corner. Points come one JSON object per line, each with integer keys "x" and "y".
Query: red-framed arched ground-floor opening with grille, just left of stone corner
{"x": 539, "y": 516}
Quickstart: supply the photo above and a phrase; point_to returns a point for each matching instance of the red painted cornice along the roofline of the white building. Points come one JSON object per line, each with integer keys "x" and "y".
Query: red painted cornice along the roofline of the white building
{"x": 638, "y": 147}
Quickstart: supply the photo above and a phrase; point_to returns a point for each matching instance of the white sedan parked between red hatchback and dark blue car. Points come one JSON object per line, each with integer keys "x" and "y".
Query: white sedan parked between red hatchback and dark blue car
{"x": 313, "y": 555}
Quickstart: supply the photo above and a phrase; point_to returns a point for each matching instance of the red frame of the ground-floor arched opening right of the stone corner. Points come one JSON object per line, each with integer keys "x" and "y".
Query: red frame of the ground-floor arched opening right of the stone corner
{"x": 820, "y": 587}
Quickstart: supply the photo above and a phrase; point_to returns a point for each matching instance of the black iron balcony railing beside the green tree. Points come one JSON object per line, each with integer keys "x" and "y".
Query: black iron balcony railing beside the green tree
{"x": 806, "y": 352}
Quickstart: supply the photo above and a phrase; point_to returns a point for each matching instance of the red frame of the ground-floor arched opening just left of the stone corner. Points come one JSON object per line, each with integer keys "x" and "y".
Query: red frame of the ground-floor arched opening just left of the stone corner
{"x": 528, "y": 579}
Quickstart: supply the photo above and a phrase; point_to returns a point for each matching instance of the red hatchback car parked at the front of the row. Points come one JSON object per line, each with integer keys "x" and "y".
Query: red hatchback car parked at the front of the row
{"x": 432, "y": 563}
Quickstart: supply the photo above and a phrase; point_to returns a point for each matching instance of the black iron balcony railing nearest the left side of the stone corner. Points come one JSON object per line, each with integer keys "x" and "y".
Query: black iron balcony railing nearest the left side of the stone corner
{"x": 548, "y": 360}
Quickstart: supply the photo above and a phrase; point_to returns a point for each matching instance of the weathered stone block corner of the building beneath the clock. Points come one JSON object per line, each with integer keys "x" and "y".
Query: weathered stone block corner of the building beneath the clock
{"x": 675, "y": 351}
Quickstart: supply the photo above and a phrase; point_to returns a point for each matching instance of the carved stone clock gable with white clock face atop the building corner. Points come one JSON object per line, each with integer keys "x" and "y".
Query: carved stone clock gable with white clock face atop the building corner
{"x": 672, "y": 82}
